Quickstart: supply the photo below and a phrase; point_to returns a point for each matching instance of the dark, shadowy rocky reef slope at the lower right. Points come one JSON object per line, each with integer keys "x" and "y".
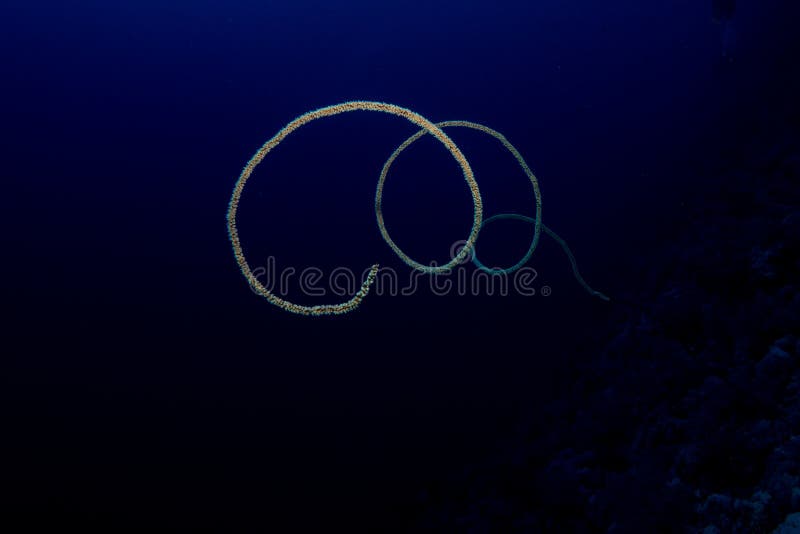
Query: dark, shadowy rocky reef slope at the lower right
{"x": 689, "y": 420}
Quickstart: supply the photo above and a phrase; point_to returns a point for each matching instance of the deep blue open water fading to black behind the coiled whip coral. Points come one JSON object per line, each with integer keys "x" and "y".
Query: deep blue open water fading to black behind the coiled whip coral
{"x": 147, "y": 381}
